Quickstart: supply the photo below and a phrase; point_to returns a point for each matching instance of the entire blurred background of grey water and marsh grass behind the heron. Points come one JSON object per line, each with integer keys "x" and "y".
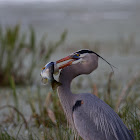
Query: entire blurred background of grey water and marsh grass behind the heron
{"x": 35, "y": 32}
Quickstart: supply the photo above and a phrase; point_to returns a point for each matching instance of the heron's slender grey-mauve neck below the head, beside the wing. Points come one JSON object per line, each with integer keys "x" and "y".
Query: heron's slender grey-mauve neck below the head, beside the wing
{"x": 64, "y": 92}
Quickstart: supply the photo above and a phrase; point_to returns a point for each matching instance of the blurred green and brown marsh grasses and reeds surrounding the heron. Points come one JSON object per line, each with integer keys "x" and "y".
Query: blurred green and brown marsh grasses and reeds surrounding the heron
{"x": 29, "y": 110}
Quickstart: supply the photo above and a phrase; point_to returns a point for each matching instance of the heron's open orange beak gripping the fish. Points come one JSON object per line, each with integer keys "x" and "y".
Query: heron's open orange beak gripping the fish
{"x": 72, "y": 58}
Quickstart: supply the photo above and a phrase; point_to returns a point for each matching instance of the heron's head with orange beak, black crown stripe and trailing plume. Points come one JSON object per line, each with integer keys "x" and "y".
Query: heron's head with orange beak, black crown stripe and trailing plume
{"x": 86, "y": 60}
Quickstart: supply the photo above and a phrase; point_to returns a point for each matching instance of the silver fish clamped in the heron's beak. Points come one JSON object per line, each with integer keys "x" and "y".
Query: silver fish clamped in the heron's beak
{"x": 47, "y": 74}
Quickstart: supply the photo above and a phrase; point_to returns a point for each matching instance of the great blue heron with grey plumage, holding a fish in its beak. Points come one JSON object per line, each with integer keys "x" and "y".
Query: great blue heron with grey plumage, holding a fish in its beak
{"x": 90, "y": 116}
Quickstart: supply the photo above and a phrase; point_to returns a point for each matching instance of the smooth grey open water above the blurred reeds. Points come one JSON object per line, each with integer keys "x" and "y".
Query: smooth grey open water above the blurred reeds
{"x": 85, "y": 20}
